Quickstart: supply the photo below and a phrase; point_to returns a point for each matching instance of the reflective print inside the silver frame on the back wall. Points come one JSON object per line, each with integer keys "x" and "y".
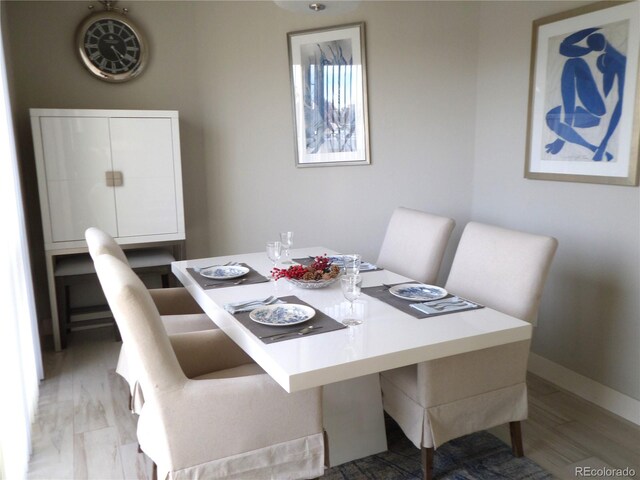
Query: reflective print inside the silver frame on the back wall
{"x": 330, "y": 96}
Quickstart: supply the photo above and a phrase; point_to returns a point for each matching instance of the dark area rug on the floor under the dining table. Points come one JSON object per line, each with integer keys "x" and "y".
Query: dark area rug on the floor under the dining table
{"x": 478, "y": 456}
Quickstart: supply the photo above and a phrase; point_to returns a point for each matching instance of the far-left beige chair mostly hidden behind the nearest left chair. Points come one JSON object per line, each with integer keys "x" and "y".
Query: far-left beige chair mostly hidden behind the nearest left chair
{"x": 180, "y": 313}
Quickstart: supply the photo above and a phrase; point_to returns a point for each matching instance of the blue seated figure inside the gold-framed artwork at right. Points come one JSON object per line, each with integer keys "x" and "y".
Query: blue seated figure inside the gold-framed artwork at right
{"x": 582, "y": 104}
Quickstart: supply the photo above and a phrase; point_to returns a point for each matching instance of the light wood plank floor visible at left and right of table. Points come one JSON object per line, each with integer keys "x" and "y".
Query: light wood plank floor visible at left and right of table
{"x": 84, "y": 430}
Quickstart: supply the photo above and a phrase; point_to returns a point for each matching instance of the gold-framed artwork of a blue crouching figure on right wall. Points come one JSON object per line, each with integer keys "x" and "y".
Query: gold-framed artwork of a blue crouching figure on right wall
{"x": 583, "y": 96}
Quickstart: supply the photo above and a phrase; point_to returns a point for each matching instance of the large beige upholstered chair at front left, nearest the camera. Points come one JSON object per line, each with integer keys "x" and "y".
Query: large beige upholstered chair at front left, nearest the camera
{"x": 232, "y": 422}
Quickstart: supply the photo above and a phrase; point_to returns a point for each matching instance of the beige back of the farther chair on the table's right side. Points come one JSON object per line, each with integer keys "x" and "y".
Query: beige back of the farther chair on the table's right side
{"x": 415, "y": 243}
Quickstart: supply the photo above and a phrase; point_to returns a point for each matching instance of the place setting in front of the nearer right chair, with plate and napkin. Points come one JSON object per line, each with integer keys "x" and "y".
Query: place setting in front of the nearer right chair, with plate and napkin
{"x": 420, "y": 300}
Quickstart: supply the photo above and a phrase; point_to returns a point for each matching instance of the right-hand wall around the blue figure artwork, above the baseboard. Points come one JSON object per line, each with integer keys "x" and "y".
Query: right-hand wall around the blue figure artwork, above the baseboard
{"x": 590, "y": 315}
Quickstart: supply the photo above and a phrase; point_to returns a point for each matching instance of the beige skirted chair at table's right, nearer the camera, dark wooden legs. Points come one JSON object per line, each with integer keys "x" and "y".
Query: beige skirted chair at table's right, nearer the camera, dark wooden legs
{"x": 436, "y": 401}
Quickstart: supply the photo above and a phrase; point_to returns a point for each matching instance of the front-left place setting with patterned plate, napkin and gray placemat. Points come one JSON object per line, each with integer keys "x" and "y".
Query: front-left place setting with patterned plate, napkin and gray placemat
{"x": 276, "y": 319}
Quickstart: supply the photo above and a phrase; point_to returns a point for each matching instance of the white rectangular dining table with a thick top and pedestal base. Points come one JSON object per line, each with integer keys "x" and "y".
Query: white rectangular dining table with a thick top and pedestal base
{"x": 346, "y": 362}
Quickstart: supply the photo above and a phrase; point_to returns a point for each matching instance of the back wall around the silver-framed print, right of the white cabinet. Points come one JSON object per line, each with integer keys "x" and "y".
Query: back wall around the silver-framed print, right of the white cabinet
{"x": 421, "y": 124}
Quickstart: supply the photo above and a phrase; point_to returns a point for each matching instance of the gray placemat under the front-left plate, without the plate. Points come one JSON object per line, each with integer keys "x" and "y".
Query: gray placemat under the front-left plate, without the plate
{"x": 320, "y": 320}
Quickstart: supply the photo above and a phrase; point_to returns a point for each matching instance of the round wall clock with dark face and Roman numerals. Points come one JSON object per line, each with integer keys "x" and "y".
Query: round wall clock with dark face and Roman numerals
{"x": 111, "y": 46}
